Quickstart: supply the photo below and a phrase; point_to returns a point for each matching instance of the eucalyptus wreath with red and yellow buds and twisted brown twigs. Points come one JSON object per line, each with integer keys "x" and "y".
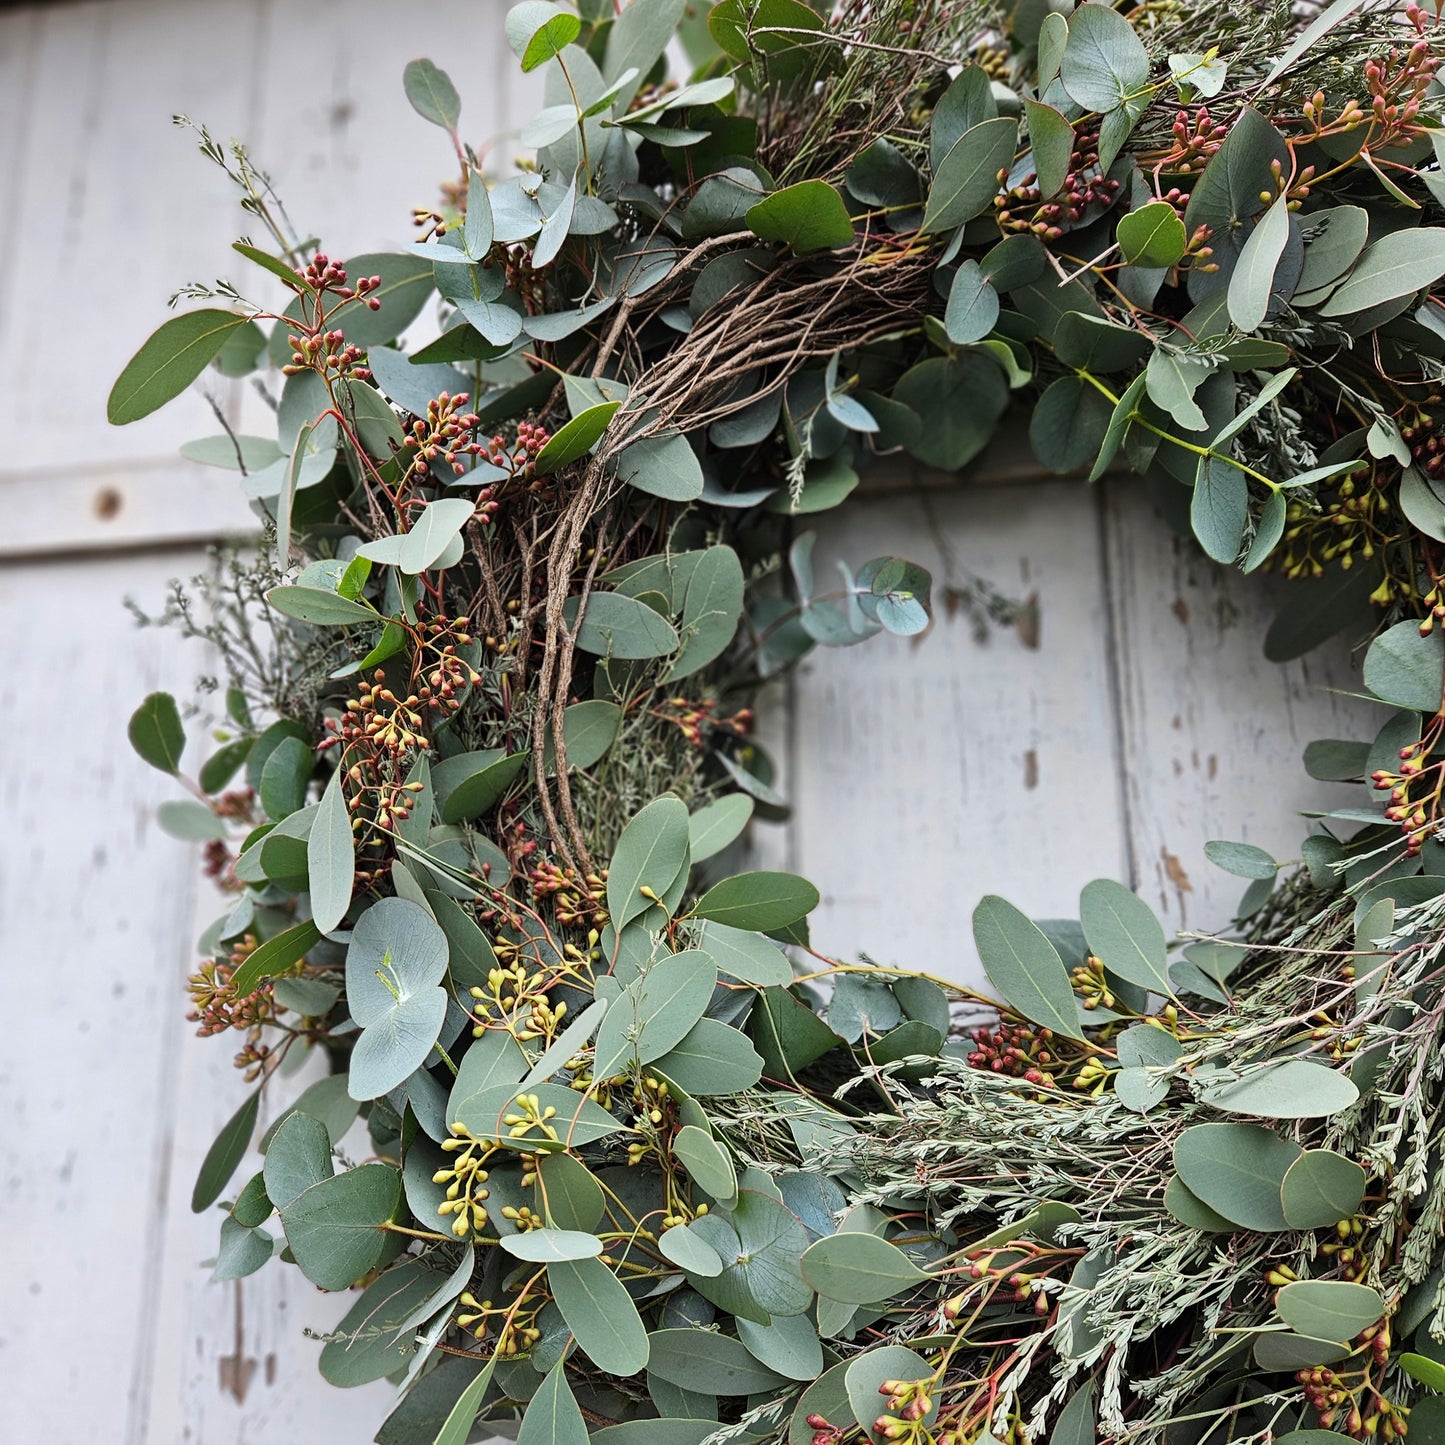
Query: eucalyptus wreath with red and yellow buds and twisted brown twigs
{"x": 639, "y": 1160}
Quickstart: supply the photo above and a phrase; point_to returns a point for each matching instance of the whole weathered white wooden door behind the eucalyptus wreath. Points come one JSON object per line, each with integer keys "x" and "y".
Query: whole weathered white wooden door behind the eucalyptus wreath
{"x": 1030, "y": 764}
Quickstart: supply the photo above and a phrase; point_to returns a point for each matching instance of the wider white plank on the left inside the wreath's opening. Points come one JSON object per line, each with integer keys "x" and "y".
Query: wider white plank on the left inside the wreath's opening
{"x": 930, "y": 772}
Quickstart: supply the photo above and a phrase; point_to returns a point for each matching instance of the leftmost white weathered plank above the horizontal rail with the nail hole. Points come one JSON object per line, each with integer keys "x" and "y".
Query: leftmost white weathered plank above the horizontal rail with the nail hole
{"x": 121, "y": 210}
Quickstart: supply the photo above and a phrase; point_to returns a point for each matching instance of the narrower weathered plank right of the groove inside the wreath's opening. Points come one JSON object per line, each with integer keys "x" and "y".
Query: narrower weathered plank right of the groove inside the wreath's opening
{"x": 1213, "y": 732}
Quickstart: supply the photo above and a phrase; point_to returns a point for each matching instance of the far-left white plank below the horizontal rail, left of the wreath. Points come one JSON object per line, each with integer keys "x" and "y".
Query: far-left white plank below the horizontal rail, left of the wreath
{"x": 96, "y": 930}
